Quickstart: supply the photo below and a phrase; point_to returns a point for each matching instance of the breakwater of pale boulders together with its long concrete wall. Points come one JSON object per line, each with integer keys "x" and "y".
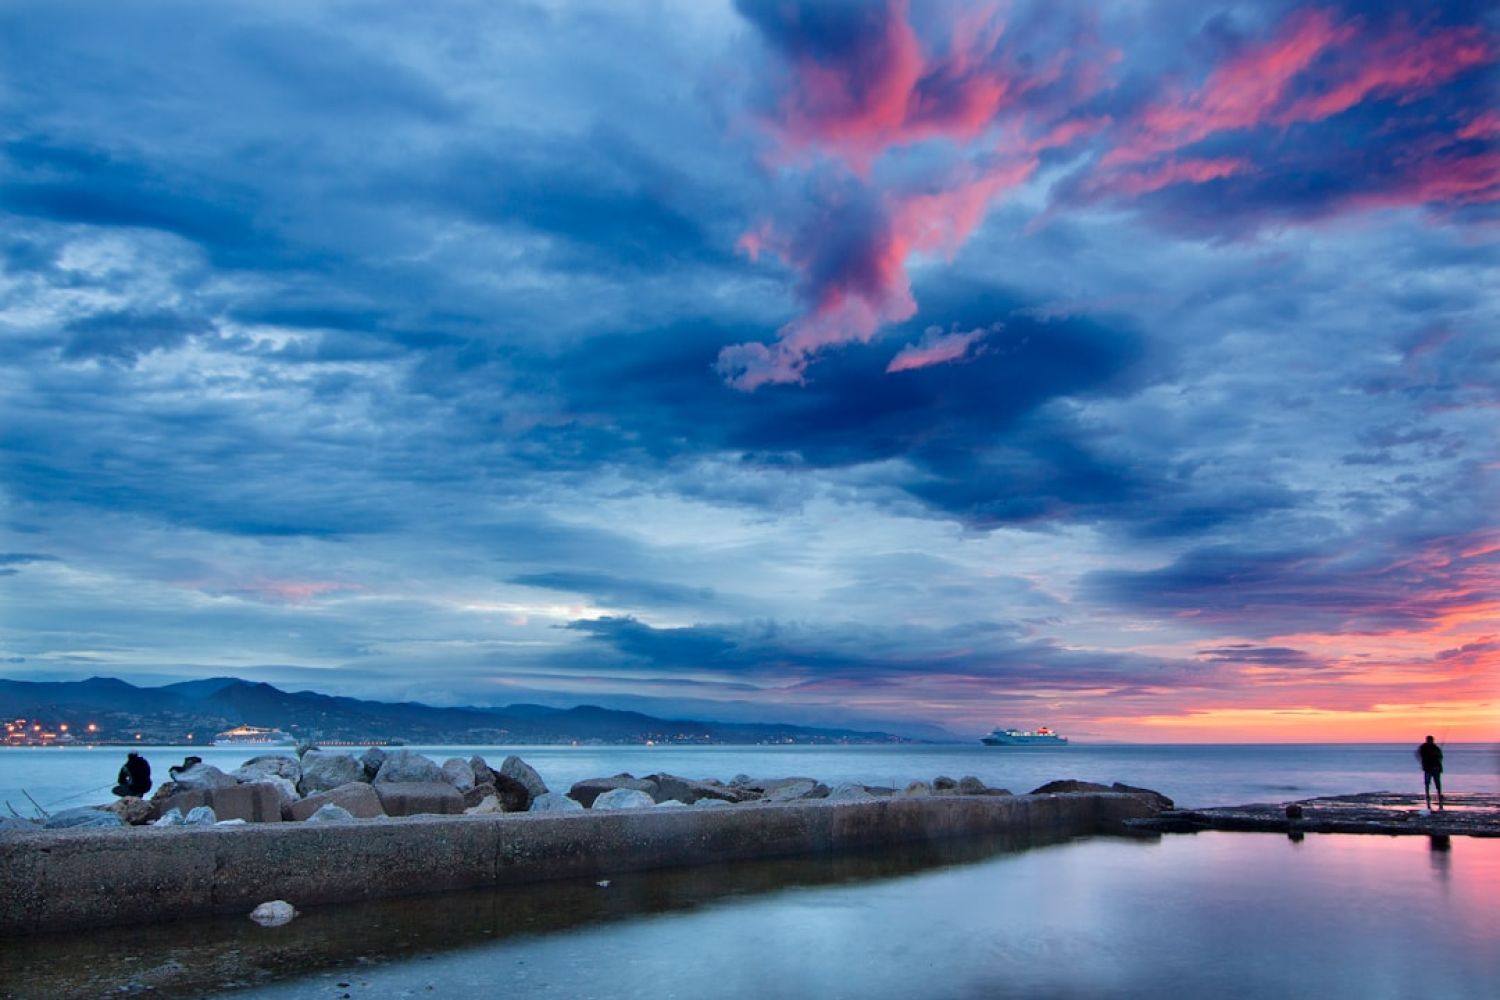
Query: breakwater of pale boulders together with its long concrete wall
{"x": 395, "y": 830}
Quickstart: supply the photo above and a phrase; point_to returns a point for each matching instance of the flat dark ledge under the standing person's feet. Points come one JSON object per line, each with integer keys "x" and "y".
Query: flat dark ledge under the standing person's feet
{"x": 1388, "y": 813}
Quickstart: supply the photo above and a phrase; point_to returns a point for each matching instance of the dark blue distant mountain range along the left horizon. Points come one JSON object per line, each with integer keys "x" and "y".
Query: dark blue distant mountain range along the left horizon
{"x": 203, "y": 708}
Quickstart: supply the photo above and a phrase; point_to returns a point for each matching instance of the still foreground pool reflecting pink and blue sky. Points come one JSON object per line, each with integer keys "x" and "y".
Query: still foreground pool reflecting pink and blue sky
{"x": 1235, "y": 915}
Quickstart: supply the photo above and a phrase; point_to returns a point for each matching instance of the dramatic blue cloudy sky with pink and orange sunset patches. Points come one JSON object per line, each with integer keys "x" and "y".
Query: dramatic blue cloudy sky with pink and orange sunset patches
{"x": 1130, "y": 370}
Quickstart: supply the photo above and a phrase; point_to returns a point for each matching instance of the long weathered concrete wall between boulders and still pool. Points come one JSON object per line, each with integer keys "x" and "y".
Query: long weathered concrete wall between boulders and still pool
{"x": 65, "y": 879}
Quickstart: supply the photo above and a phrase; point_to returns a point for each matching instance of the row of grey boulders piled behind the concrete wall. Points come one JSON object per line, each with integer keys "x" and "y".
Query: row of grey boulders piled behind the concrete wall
{"x": 320, "y": 786}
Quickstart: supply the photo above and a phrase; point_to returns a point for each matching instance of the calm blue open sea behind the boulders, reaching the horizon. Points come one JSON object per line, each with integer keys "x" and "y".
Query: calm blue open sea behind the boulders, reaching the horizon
{"x": 1193, "y": 776}
